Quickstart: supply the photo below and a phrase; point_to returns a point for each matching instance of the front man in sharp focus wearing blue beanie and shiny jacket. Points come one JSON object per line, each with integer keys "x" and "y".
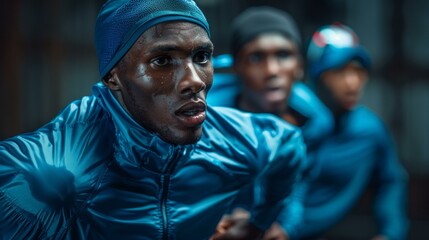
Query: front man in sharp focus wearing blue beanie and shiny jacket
{"x": 144, "y": 157}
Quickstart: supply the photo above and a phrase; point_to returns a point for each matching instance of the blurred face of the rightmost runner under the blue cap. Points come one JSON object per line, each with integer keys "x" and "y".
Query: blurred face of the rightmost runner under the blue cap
{"x": 341, "y": 88}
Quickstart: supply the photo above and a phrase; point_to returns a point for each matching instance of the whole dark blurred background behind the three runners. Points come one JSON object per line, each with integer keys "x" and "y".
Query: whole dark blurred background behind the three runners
{"x": 48, "y": 59}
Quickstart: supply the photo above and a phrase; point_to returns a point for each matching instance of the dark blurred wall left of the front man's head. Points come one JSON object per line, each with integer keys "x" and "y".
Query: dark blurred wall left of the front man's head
{"x": 47, "y": 60}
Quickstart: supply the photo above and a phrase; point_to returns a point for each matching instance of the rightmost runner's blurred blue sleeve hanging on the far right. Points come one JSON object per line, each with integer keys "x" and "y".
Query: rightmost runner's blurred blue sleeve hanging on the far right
{"x": 391, "y": 191}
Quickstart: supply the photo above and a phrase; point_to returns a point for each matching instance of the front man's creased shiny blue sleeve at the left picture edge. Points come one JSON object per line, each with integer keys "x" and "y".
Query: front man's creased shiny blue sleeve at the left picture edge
{"x": 41, "y": 173}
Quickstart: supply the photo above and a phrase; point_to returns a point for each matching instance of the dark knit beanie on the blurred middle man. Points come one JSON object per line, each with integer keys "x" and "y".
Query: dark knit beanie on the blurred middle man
{"x": 258, "y": 20}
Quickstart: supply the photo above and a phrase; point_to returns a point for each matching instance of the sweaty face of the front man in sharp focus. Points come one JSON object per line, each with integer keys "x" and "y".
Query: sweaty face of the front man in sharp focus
{"x": 164, "y": 78}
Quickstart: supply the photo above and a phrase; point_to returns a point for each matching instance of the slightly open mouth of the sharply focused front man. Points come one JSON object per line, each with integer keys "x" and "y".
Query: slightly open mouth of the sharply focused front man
{"x": 192, "y": 114}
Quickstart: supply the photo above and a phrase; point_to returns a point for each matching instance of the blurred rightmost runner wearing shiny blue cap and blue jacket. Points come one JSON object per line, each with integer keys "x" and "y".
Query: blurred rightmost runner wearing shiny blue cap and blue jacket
{"x": 360, "y": 152}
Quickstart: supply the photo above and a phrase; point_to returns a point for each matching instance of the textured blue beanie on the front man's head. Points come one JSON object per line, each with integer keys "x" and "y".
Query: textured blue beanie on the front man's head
{"x": 121, "y": 22}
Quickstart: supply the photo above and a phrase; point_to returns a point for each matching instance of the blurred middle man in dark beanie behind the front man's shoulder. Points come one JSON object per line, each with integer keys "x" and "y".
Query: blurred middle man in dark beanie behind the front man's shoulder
{"x": 267, "y": 64}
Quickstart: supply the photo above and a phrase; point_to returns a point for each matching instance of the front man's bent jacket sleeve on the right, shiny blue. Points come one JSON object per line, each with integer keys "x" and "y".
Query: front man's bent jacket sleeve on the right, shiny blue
{"x": 281, "y": 160}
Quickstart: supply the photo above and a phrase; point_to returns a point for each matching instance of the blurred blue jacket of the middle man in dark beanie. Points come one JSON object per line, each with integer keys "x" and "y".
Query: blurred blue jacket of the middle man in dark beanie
{"x": 318, "y": 125}
